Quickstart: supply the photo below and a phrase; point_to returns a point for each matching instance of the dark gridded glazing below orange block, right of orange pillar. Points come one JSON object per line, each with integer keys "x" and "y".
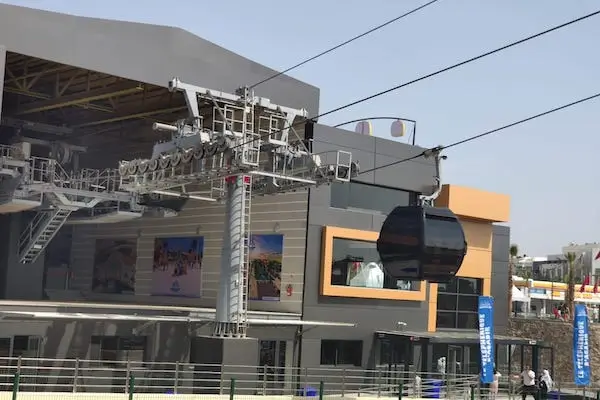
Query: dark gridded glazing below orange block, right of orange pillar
{"x": 457, "y": 303}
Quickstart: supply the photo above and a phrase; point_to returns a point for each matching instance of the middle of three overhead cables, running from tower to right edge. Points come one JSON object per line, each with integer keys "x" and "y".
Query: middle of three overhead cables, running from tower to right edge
{"x": 430, "y": 75}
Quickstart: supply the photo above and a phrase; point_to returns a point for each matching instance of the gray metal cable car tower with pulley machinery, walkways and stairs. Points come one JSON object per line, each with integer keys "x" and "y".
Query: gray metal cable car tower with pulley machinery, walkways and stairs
{"x": 230, "y": 148}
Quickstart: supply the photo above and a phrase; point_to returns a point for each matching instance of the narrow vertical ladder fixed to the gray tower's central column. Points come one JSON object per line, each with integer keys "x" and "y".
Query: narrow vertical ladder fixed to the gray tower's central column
{"x": 244, "y": 273}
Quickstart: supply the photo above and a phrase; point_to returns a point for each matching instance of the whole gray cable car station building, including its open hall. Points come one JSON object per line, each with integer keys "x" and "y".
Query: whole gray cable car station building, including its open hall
{"x": 108, "y": 280}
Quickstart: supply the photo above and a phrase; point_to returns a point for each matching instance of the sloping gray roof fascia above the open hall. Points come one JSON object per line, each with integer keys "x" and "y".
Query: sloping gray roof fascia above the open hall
{"x": 142, "y": 52}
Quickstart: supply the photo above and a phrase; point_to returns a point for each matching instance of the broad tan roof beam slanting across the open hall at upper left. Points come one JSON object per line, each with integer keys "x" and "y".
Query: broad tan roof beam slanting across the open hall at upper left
{"x": 81, "y": 98}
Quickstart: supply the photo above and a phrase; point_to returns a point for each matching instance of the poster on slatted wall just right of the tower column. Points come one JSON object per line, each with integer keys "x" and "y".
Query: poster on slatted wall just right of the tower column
{"x": 266, "y": 258}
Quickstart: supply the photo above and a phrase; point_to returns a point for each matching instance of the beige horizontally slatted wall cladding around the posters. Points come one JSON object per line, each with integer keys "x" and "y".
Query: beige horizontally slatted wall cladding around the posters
{"x": 283, "y": 214}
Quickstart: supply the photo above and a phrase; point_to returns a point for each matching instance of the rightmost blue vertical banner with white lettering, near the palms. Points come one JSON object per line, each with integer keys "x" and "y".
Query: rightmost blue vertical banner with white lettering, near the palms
{"x": 581, "y": 346}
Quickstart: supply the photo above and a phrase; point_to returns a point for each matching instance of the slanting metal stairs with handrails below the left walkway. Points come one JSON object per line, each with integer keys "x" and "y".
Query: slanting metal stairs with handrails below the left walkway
{"x": 39, "y": 232}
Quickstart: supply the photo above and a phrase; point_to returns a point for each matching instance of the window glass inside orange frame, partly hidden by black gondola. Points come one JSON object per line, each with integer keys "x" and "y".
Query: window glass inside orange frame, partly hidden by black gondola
{"x": 356, "y": 263}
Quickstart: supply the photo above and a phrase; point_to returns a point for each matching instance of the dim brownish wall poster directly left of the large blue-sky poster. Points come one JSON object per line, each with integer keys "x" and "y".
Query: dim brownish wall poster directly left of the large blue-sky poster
{"x": 114, "y": 266}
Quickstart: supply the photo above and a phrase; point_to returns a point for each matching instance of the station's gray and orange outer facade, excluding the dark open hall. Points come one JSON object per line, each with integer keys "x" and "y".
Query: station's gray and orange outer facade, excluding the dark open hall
{"x": 110, "y": 290}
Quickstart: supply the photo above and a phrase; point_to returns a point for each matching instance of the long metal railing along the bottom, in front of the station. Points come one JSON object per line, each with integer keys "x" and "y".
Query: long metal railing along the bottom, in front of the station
{"x": 89, "y": 376}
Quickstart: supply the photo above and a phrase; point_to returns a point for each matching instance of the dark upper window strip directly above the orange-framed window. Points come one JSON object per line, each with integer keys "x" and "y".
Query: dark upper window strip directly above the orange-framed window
{"x": 362, "y": 196}
